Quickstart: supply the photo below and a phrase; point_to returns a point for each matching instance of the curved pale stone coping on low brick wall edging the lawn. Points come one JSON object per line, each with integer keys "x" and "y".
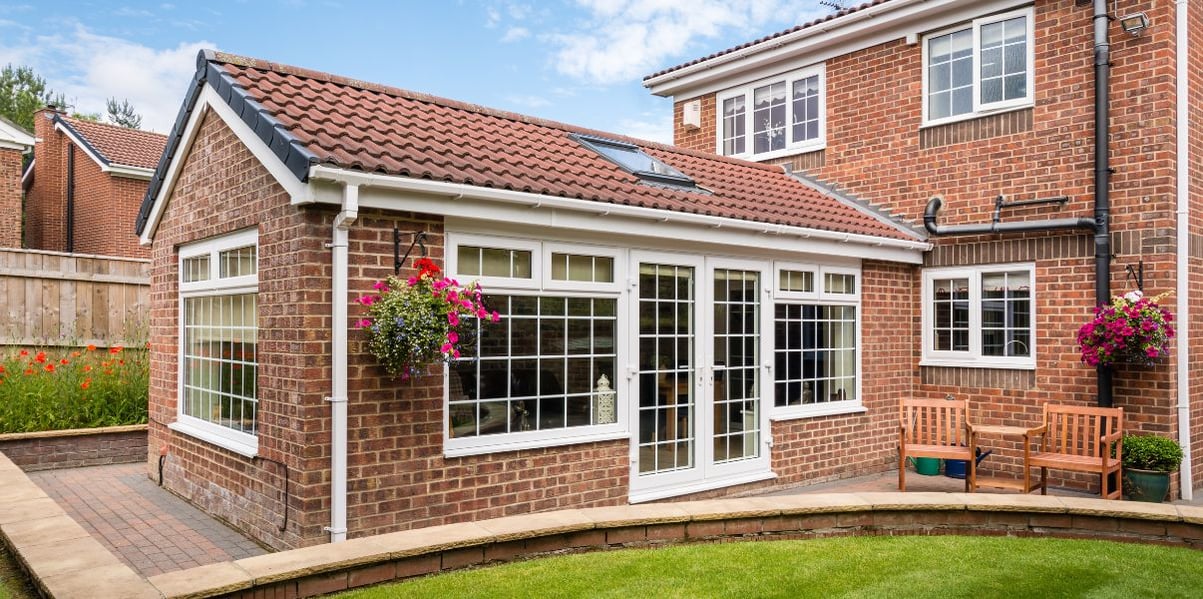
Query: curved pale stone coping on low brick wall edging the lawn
{"x": 327, "y": 560}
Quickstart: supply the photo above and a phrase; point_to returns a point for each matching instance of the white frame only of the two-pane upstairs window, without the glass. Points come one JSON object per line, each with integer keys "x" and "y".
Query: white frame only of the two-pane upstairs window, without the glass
{"x": 981, "y": 110}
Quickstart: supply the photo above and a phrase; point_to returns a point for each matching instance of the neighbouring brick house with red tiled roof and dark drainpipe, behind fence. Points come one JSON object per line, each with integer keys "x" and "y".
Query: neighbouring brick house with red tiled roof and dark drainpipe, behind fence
{"x": 86, "y": 185}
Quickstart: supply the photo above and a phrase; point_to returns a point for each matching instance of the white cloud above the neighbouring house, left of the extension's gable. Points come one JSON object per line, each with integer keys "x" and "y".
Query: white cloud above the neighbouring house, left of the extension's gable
{"x": 88, "y": 69}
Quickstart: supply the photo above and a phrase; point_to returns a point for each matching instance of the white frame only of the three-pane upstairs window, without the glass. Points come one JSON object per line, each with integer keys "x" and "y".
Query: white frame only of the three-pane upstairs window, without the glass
{"x": 749, "y": 92}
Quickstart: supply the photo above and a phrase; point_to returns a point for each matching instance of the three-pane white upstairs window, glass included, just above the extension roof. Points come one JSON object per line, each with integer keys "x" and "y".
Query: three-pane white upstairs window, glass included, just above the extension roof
{"x": 774, "y": 117}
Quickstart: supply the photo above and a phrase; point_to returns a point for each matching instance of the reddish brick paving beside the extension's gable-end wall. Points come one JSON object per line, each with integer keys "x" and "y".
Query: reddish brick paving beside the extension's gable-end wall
{"x": 149, "y": 529}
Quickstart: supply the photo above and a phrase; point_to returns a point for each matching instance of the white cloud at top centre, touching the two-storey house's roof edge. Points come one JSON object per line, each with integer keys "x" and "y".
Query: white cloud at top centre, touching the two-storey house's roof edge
{"x": 624, "y": 40}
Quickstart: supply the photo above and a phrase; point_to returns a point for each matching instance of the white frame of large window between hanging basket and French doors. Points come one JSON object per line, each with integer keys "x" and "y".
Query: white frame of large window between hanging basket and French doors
{"x": 542, "y": 286}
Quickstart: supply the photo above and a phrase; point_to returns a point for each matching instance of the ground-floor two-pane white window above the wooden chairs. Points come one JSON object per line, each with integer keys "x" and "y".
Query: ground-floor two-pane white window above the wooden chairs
{"x": 981, "y": 317}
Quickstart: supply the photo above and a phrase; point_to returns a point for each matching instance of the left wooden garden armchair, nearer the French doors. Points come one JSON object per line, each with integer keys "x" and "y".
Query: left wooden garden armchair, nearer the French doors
{"x": 937, "y": 429}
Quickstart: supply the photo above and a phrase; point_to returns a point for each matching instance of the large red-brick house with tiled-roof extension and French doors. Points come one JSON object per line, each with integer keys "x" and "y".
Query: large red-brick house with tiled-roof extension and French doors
{"x": 756, "y": 317}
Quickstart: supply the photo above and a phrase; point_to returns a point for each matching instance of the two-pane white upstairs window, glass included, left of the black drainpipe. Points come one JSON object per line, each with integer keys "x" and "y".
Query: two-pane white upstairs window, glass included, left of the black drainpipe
{"x": 979, "y": 68}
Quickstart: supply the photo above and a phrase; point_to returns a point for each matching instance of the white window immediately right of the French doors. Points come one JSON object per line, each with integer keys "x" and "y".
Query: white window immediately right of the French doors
{"x": 817, "y": 341}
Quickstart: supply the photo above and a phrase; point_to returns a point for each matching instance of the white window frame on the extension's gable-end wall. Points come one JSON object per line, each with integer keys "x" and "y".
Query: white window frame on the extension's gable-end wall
{"x": 235, "y": 441}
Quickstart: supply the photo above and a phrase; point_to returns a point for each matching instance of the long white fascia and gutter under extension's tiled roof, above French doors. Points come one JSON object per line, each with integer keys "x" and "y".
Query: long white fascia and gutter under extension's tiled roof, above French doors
{"x": 457, "y": 200}
